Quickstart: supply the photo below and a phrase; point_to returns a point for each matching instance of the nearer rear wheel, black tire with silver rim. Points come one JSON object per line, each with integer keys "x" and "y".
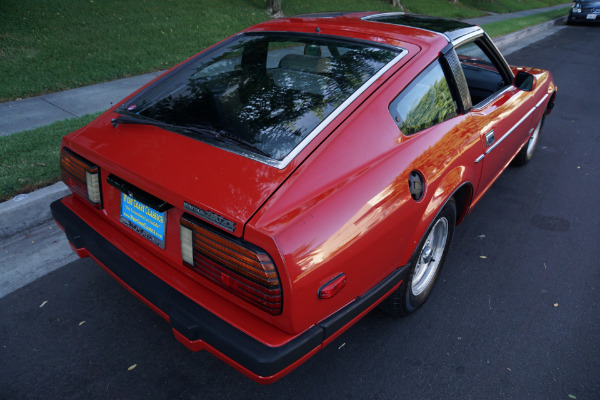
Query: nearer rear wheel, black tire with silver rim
{"x": 425, "y": 265}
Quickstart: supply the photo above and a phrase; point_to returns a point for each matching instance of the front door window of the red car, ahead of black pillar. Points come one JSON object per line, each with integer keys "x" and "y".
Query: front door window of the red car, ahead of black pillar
{"x": 483, "y": 77}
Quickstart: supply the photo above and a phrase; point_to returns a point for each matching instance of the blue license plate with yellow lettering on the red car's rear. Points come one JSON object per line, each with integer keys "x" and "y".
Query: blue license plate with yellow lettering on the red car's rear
{"x": 145, "y": 220}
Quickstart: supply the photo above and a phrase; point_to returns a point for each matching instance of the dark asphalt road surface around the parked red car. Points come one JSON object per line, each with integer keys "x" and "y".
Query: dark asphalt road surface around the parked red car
{"x": 515, "y": 315}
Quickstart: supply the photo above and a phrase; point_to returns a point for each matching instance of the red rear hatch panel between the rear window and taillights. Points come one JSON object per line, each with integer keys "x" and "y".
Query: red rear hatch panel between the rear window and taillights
{"x": 179, "y": 169}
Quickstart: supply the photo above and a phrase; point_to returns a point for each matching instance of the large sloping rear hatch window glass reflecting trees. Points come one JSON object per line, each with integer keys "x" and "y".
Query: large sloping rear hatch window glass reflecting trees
{"x": 270, "y": 90}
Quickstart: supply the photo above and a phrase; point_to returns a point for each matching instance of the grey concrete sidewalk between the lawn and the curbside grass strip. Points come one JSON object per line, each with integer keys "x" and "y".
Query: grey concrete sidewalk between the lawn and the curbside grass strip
{"x": 31, "y": 113}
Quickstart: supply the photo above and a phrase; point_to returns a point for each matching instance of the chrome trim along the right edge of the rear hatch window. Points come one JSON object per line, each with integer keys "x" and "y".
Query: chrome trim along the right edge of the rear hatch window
{"x": 281, "y": 164}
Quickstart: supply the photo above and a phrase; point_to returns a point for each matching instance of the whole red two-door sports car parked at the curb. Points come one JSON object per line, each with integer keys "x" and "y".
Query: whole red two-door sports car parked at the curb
{"x": 267, "y": 193}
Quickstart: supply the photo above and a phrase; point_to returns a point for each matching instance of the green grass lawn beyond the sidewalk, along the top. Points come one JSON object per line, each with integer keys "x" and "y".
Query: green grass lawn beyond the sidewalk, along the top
{"x": 52, "y": 45}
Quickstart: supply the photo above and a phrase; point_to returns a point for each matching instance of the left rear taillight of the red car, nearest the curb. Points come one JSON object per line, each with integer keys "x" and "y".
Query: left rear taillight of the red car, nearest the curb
{"x": 82, "y": 176}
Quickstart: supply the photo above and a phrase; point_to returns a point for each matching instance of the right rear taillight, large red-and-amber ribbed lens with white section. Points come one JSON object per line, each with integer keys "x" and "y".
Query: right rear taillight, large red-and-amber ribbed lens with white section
{"x": 231, "y": 263}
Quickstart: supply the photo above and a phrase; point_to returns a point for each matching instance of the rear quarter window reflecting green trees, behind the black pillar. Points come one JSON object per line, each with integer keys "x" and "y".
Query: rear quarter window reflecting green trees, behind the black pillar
{"x": 425, "y": 102}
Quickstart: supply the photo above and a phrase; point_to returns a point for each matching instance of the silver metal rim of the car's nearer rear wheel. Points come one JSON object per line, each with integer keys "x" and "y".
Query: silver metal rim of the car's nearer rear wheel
{"x": 430, "y": 257}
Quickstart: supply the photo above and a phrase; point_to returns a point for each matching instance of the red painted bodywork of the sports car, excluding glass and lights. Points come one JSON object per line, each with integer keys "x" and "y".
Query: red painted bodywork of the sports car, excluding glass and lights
{"x": 341, "y": 206}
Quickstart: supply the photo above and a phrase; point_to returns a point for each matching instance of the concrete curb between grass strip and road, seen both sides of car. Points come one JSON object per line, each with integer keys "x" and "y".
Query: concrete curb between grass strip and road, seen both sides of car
{"x": 27, "y": 211}
